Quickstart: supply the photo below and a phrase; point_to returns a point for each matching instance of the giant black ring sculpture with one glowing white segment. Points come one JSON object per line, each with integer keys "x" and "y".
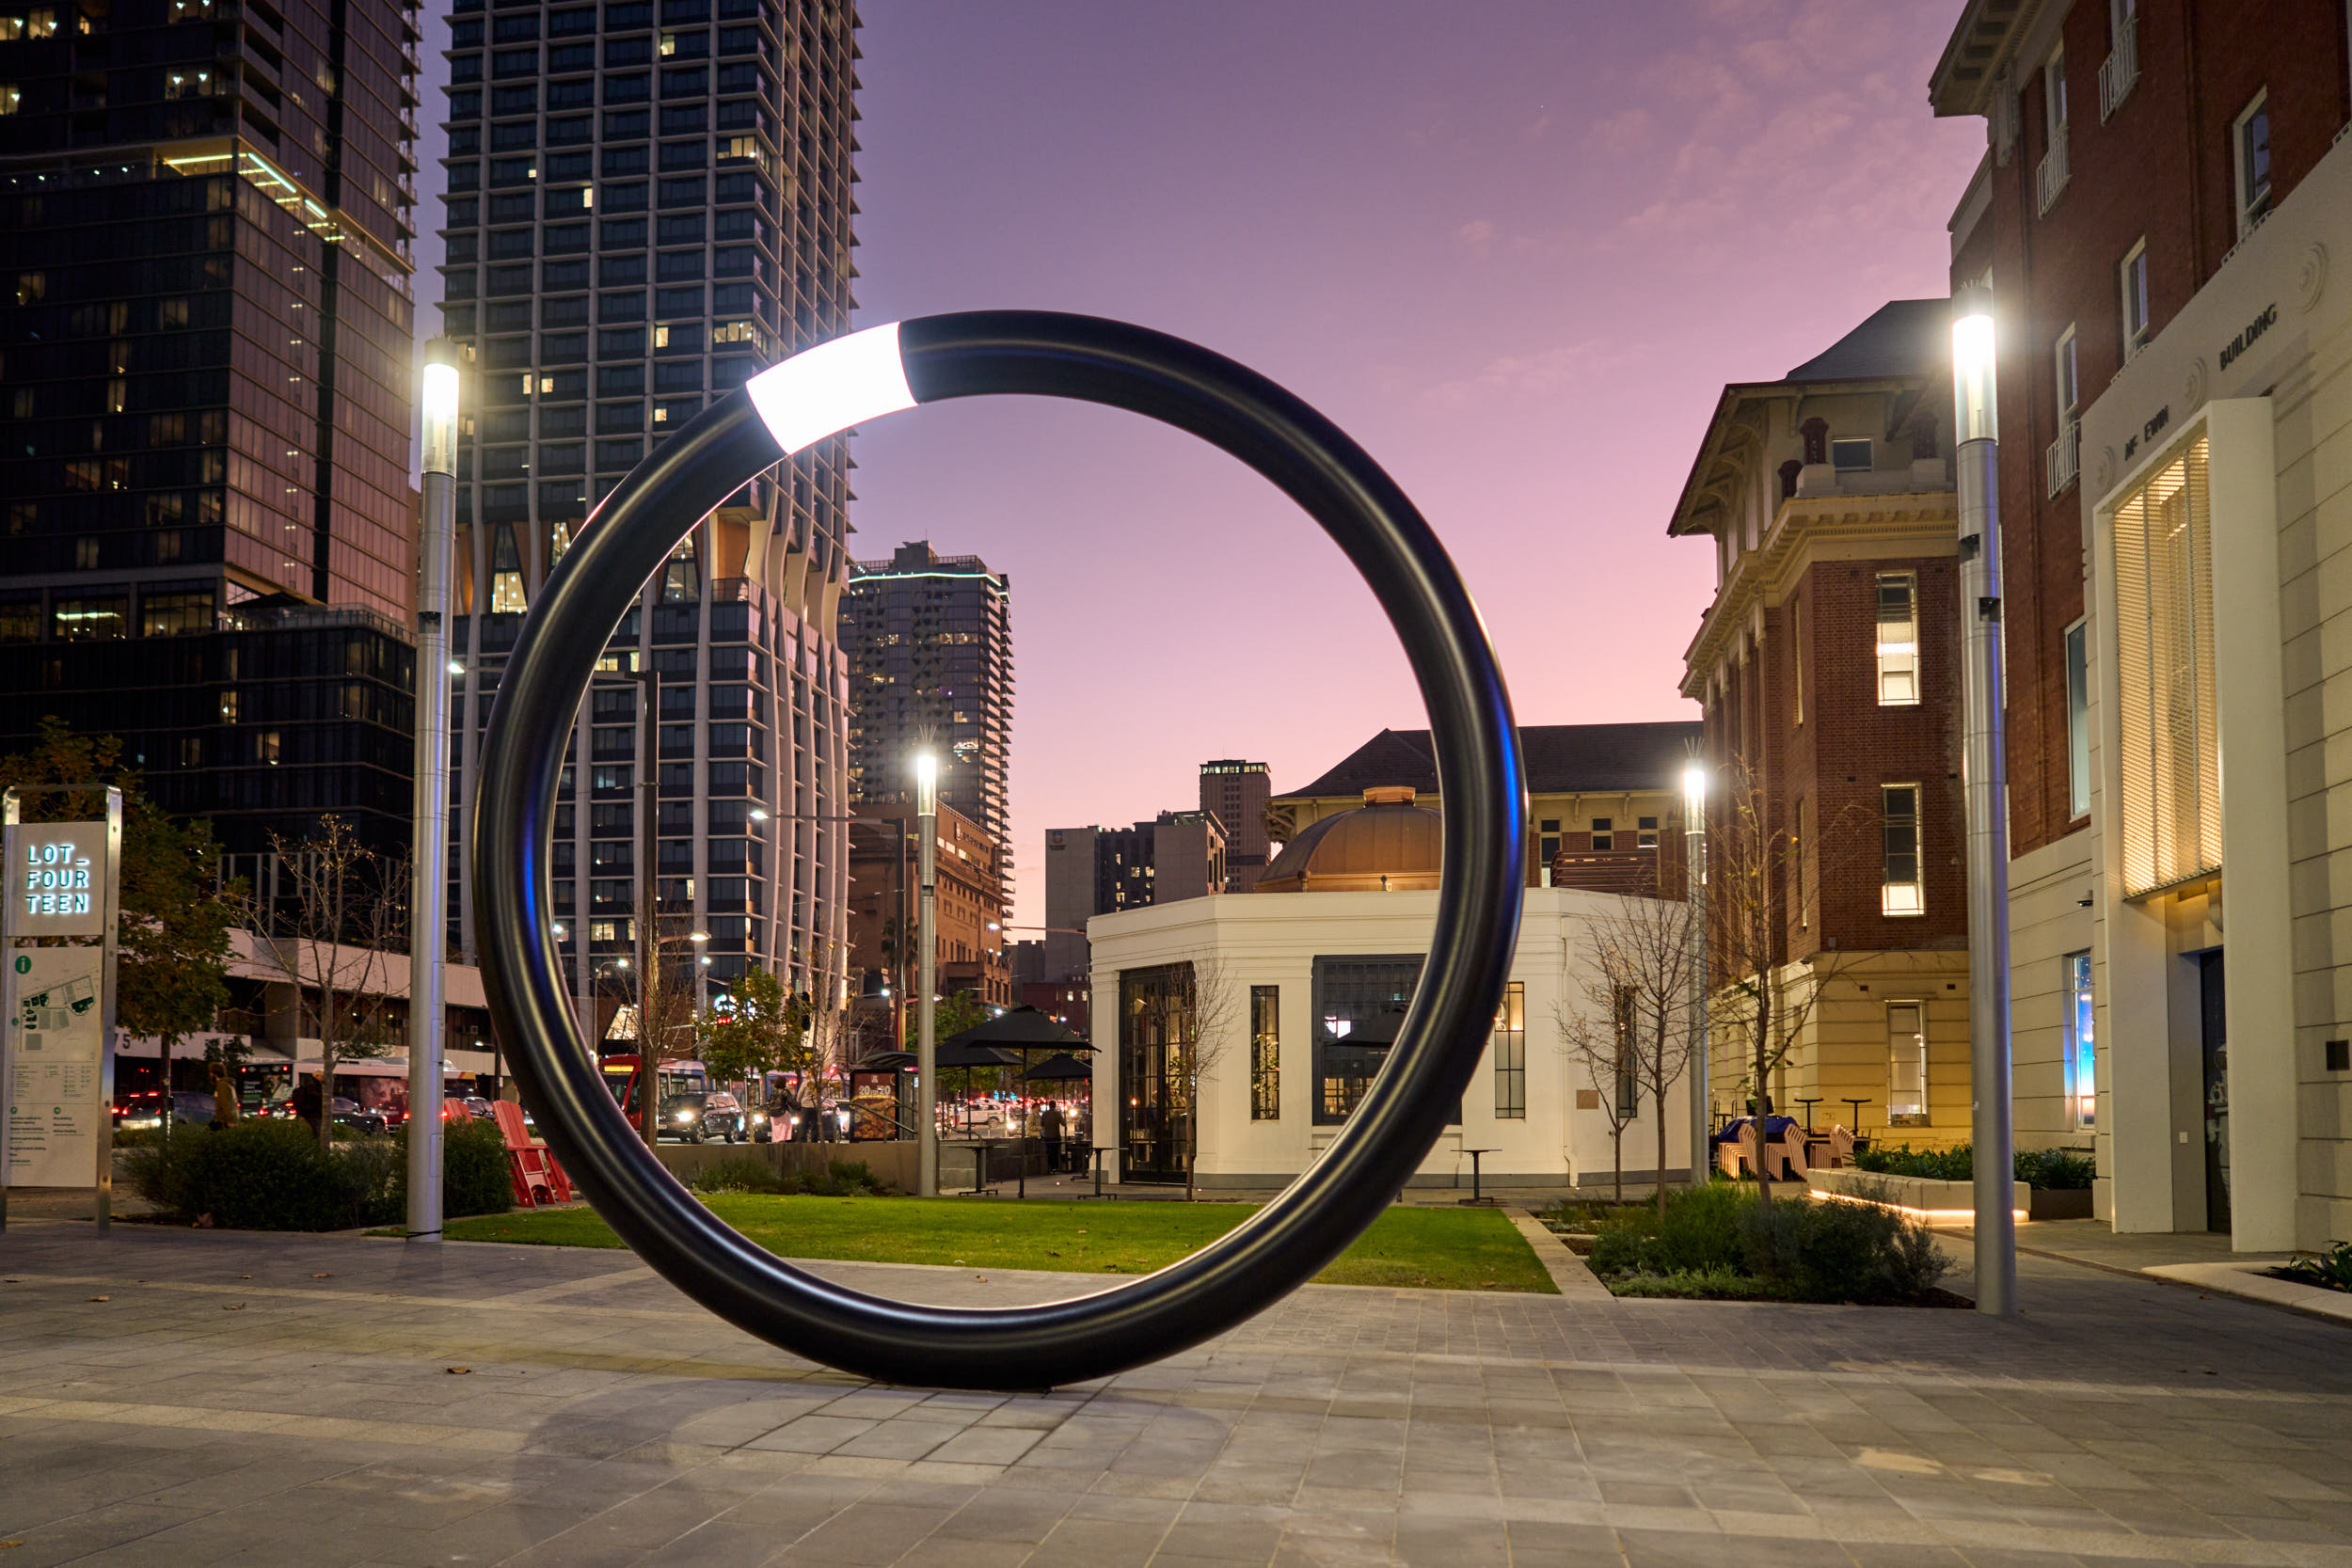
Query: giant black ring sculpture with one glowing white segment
{"x": 794, "y": 406}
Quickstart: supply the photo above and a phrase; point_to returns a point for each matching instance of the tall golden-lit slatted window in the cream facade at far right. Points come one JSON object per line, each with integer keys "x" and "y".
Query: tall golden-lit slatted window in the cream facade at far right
{"x": 2165, "y": 697}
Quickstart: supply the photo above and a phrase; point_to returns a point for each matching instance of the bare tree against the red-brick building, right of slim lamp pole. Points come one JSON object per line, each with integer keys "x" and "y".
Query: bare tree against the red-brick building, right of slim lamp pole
{"x": 1760, "y": 904}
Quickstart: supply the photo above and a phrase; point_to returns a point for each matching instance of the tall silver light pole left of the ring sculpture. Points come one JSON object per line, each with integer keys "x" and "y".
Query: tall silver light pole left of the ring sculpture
{"x": 429, "y": 859}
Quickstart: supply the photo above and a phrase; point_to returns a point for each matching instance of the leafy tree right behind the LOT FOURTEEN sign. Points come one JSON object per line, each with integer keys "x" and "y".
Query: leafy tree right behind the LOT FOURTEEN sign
{"x": 173, "y": 958}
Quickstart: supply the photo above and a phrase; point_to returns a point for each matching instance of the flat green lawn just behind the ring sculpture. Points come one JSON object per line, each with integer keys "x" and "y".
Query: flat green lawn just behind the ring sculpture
{"x": 1448, "y": 1249}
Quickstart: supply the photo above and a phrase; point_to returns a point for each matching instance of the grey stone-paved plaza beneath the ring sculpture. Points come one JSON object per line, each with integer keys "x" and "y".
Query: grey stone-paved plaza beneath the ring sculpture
{"x": 206, "y": 1398}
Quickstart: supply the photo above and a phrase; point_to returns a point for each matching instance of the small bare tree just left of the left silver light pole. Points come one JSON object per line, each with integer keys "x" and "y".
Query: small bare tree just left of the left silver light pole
{"x": 347, "y": 913}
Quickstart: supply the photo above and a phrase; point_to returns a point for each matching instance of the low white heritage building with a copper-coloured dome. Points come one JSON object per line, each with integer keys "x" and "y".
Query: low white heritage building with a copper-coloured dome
{"x": 1304, "y": 998}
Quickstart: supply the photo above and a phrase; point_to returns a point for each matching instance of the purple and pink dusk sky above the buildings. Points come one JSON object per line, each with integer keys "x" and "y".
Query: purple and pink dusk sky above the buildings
{"x": 1514, "y": 248}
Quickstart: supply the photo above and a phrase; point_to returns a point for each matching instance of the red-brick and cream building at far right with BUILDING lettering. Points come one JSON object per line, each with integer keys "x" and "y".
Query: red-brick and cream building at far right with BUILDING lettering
{"x": 2158, "y": 210}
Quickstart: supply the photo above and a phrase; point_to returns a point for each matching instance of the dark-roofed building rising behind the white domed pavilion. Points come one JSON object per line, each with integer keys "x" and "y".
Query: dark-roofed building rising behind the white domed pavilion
{"x": 1605, "y": 800}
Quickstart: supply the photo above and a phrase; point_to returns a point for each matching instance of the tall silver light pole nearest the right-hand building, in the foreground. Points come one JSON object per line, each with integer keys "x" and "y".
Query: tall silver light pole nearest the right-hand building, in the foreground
{"x": 1986, "y": 786}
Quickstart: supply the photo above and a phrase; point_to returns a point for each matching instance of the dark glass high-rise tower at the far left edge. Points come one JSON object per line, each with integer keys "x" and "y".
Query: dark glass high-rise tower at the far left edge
{"x": 206, "y": 314}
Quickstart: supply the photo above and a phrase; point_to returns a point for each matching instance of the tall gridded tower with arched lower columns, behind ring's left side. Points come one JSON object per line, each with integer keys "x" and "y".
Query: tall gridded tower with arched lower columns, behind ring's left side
{"x": 646, "y": 208}
